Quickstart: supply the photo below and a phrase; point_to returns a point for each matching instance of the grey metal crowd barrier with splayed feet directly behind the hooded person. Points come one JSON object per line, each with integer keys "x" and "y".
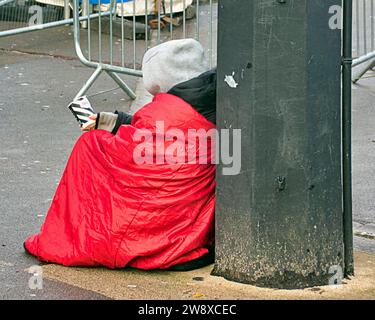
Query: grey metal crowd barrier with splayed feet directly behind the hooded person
{"x": 156, "y": 21}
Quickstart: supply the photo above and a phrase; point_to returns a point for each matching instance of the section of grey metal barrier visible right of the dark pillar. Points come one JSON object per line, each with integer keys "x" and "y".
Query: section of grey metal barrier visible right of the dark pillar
{"x": 363, "y": 37}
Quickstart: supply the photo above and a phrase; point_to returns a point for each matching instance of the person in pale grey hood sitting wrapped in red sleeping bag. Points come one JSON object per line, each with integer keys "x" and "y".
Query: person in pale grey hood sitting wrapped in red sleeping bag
{"x": 112, "y": 210}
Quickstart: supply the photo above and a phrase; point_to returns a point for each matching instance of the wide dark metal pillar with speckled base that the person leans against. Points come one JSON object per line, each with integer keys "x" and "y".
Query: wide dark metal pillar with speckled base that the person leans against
{"x": 280, "y": 221}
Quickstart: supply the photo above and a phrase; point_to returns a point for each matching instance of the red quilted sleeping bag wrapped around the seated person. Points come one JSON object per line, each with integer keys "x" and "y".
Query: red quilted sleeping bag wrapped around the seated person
{"x": 110, "y": 211}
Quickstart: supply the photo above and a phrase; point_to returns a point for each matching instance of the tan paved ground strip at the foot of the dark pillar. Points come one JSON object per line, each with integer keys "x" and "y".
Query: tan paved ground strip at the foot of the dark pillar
{"x": 163, "y": 285}
